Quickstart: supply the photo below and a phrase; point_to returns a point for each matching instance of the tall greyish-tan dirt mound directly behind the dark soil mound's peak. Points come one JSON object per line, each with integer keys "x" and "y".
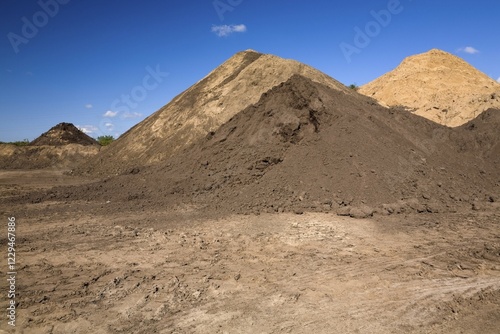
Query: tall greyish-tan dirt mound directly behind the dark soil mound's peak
{"x": 233, "y": 86}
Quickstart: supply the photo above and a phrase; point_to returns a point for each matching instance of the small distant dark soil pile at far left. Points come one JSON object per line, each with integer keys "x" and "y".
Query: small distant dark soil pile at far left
{"x": 64, "y": 134}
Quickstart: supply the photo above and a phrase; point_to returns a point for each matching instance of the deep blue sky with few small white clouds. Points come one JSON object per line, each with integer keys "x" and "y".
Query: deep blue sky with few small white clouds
{"x": 106, "y": 65}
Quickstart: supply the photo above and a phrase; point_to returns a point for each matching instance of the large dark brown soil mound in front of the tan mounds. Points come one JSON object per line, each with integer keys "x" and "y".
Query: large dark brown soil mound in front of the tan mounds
{"x": 305, "y": 147}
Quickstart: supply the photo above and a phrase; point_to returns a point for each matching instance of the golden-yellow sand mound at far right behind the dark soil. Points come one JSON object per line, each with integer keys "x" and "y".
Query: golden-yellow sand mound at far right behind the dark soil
{"x": 439, "y": 86}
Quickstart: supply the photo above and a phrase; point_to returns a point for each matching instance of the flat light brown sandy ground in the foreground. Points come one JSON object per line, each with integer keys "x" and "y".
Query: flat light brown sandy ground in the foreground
{"x": 179, "y": 271}
